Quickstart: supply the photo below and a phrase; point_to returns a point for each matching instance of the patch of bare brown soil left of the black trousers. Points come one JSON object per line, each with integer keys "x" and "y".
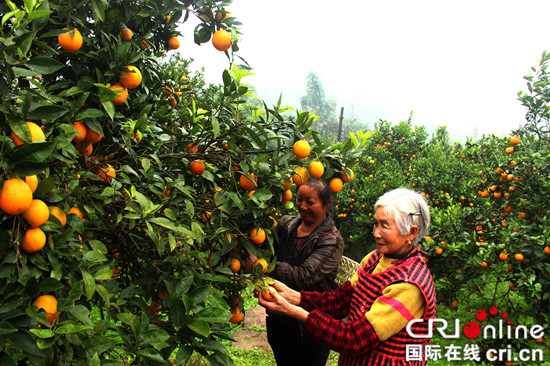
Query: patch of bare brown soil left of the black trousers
{"x": 247, "y": 338}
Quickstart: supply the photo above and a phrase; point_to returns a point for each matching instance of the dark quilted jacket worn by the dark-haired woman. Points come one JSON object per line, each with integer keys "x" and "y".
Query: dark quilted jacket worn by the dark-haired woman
{"x": 313, "y": 268}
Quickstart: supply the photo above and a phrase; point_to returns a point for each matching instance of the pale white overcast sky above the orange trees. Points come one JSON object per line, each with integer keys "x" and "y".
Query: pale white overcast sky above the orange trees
{"x": 455, "y": 63}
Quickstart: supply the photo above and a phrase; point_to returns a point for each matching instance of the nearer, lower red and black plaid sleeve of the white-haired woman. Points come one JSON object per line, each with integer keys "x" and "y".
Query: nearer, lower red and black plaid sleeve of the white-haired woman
{"x": 350, "y": 338}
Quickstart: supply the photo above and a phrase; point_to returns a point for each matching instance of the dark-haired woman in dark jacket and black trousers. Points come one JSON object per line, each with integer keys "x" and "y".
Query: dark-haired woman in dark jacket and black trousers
{"x": 309, "y": 251}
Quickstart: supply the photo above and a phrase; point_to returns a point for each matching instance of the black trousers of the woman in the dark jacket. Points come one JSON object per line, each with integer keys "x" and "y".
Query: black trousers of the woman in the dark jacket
{"x": 291, "y": 346}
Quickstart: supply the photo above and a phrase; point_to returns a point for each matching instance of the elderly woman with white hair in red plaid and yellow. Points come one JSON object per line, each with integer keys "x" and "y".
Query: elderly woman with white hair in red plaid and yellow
{"x": 391, "y": 287}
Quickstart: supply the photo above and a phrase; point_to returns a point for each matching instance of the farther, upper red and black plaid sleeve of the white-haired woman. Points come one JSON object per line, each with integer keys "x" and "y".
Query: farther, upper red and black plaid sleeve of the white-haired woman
{"x": 335, "y": 303}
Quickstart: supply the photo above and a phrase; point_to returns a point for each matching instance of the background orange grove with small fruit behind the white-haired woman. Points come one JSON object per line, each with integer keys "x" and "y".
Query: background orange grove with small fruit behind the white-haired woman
{"x": 489, "y": 198}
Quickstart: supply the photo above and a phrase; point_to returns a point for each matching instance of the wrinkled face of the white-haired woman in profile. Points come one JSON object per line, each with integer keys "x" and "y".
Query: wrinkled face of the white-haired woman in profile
{"x": 389, "y": 239}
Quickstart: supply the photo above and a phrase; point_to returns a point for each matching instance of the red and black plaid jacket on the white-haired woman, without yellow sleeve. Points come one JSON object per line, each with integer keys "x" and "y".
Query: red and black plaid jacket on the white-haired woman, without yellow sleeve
{"x": 355, "y": 339}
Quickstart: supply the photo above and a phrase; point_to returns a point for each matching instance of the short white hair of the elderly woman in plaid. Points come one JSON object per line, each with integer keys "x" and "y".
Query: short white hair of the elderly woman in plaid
{"x": 406, "y": 208}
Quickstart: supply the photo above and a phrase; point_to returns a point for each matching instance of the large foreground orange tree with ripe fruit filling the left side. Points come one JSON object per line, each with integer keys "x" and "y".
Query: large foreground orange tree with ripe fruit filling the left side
{"x": 139, "y": 274}
